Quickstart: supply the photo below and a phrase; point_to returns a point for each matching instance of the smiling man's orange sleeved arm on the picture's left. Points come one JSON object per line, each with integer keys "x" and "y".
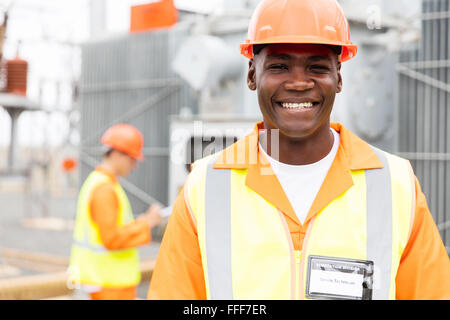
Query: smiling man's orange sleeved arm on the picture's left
{"x": 178, "y": 273}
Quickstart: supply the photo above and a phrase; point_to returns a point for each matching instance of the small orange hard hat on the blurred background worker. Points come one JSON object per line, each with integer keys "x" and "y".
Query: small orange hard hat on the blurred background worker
{"x": 125, "y": 138}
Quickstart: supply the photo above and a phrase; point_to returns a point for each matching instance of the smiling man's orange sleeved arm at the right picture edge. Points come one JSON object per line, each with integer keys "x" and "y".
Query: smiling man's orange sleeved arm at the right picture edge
{"x": 424, "y": 271}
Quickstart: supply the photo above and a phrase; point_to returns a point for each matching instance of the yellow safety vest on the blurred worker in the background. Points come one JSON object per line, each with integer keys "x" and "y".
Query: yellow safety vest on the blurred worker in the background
{"x": 91, "y": 263}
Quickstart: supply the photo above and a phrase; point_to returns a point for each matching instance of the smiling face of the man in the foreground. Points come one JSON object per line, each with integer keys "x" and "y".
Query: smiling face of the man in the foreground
{"x": 296, "y": 86}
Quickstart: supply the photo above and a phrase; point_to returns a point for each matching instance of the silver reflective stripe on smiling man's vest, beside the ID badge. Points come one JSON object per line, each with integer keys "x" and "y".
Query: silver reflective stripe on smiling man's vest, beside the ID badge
{"x": 379, "y": 226}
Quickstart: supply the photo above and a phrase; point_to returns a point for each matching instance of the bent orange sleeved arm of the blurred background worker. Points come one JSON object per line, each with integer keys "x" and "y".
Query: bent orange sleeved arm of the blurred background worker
{"x": 104, "y": 206}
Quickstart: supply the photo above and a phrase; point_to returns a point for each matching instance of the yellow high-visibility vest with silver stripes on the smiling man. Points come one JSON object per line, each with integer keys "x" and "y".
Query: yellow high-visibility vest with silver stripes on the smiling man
{"x": 246, "y": 247}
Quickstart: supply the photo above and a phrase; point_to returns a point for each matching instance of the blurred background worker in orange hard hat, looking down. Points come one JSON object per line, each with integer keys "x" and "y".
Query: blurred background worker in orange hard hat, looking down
{"x": 104, "y": 256}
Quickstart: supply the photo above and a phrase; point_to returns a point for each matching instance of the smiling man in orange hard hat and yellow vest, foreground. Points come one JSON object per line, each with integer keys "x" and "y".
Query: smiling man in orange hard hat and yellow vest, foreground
{"x": 313, "y": 212}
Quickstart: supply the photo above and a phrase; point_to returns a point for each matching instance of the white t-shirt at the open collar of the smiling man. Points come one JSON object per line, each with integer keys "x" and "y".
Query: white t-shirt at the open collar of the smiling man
{"x": 301, "y": 183}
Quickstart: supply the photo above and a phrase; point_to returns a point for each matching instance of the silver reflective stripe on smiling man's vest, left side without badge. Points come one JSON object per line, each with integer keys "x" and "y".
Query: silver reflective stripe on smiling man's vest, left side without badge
{"x": 218, "y": 232}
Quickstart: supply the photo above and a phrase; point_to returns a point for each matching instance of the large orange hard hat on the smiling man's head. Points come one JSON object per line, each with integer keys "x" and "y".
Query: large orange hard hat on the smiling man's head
{"x": 299, "y": 21}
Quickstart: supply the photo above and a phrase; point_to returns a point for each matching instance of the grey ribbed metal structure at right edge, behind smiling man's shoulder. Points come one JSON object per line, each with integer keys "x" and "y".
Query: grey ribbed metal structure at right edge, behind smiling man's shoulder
{"x": 424, "y": 113}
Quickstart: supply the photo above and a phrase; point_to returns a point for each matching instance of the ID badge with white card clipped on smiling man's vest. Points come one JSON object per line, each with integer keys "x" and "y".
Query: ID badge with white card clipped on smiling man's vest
{"x": 338, "y": 278}
